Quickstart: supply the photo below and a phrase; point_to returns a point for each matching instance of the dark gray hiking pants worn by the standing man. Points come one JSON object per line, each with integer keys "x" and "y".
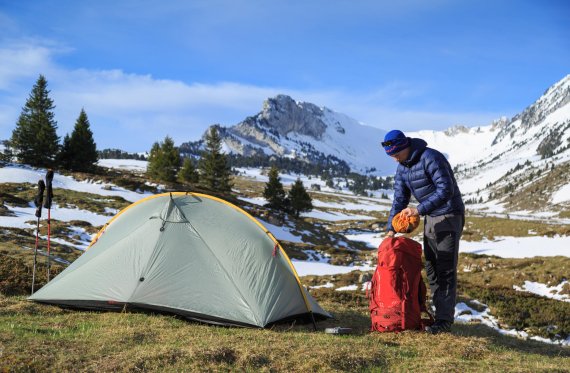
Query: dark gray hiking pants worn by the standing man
{"x": 441, "y": 250}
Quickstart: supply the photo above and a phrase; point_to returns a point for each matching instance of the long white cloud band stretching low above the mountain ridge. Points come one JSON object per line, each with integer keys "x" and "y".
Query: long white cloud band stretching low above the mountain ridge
{"x": 131, "y": 111}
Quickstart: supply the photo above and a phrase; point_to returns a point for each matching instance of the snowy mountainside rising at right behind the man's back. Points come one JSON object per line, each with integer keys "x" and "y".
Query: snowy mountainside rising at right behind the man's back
{"x": 521, "y": 163}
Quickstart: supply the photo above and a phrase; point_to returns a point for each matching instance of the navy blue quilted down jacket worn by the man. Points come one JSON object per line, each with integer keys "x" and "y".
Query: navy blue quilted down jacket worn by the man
{"x": 426, "y": 175}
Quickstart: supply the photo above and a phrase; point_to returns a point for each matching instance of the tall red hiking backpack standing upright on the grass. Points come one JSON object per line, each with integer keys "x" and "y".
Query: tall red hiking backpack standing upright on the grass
{"x": 397, "y": 295}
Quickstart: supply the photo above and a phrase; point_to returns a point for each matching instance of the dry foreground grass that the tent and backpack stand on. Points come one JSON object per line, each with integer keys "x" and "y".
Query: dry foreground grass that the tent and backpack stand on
{"x": 36, "y": 337}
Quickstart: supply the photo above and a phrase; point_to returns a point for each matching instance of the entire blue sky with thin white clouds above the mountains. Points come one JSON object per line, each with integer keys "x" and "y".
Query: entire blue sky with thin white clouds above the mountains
{"x": 145, "y": 69}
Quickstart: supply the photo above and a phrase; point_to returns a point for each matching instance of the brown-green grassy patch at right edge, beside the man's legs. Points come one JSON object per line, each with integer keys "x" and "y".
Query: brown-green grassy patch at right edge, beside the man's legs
{"x": 490, "y": 280}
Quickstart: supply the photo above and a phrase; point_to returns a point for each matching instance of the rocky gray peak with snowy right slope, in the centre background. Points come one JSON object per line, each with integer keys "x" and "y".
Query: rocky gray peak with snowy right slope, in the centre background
{"x": 291, "y": 129}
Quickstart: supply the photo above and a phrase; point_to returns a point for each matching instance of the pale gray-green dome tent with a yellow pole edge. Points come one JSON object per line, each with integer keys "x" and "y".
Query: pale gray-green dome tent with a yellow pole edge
{"x": 189, "y": 254}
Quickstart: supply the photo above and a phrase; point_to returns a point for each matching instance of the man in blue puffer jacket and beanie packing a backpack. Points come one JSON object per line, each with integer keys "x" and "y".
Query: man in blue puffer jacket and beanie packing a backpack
{"x": 426, "y": 174}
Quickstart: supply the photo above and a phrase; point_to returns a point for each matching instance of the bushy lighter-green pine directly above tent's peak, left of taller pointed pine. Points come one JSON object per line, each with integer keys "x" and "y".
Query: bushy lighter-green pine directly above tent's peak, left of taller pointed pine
{"x": 164, "y": 161}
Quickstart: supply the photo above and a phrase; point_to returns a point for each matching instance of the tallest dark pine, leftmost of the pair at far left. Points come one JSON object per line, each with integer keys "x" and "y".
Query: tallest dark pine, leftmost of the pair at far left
{"x": 34, "y": 140}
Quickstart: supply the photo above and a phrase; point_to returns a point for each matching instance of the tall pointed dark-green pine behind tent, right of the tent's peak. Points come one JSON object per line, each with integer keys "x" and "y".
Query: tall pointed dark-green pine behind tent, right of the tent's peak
{"x": 215, "y": 172}
